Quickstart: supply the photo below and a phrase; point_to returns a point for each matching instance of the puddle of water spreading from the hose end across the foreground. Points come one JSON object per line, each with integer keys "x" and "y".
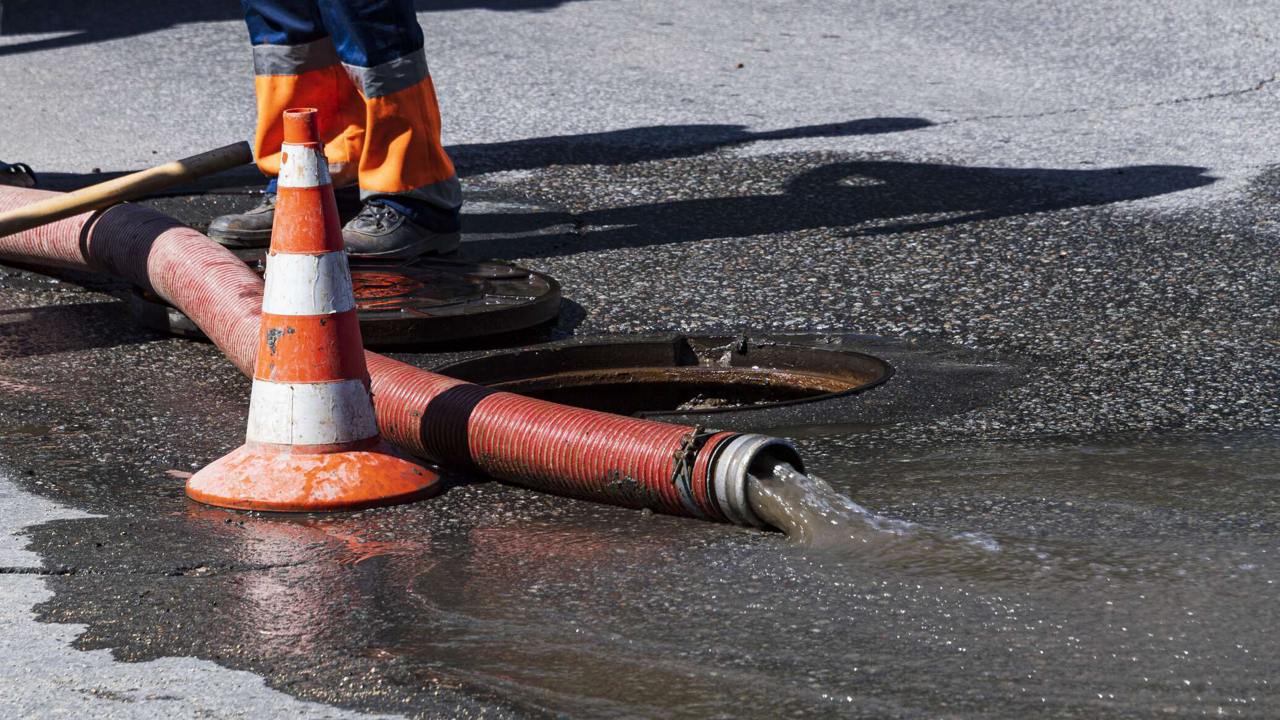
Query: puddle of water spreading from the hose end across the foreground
{"x": 1127, "y": 580}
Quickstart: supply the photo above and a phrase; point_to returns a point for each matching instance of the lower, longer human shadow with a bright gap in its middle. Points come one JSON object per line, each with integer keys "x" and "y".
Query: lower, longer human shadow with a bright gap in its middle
{"x": 856, "y": 198}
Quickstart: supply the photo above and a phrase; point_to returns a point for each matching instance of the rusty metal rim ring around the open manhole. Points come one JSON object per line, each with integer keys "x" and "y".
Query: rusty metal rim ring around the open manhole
{"x": 877, "y": 370}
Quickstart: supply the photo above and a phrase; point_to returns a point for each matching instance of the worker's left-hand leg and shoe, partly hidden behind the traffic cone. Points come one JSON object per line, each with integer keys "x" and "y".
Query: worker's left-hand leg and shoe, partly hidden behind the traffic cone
{"x": 295, "y": 66}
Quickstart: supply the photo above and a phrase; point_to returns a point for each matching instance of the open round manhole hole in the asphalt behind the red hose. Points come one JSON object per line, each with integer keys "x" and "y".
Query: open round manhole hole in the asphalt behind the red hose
{"x": 678, "y": 375}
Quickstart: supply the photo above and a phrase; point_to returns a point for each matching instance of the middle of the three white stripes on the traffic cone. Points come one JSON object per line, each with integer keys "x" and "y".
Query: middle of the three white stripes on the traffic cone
{"x": 308, "y": 285}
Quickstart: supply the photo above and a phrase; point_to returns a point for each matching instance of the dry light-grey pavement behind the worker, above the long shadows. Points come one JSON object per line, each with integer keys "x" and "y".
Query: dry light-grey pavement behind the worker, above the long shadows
{"x": 1058, "y": 85}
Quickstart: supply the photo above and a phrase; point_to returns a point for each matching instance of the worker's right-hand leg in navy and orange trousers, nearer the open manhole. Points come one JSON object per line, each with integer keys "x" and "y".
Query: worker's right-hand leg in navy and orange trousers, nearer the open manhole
{"x": 404, "y": 165}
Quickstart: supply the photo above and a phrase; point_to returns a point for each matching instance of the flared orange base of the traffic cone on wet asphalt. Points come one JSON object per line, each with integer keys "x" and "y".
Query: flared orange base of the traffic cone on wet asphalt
{"x": 258, "y": 479}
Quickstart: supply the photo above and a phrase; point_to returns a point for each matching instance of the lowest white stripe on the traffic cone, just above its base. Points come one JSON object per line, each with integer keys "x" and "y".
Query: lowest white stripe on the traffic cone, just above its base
{"x": 310, "y": 413}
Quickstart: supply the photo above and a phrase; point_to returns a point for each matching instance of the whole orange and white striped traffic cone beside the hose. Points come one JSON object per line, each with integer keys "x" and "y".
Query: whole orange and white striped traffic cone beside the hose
{"x": 313, "y": 443}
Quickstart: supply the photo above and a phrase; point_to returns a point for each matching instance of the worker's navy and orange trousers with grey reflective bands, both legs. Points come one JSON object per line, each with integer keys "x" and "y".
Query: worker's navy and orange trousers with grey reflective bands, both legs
{"x": 362, "y": 63}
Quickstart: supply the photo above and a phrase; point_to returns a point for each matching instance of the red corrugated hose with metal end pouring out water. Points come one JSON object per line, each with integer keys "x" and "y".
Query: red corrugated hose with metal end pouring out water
{"x": 572, "y": 452}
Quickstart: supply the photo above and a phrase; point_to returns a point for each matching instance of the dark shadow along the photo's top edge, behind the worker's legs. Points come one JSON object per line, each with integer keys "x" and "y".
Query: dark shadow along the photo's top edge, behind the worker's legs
{"x": 99, "y": 22}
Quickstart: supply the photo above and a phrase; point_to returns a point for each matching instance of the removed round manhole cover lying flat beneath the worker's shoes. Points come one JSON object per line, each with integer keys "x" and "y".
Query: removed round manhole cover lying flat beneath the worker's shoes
{"x": 427, "y": 302}
